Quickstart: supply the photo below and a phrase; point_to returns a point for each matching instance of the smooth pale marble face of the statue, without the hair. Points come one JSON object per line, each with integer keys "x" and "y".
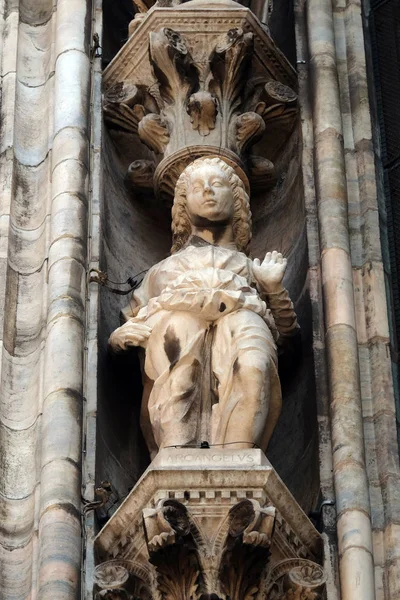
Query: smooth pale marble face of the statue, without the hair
{"x": 209, "y": 197}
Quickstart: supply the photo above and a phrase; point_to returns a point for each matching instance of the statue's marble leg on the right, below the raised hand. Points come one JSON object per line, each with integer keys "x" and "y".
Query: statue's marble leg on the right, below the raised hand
{"x": 244, "y": 363}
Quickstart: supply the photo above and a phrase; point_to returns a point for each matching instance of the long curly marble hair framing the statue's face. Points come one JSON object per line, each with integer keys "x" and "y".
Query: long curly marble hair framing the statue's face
{"x": 241, "y": 225}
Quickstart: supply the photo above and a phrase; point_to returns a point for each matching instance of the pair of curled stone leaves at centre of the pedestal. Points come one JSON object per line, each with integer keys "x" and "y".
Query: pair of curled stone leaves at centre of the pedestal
{"x": 190, "y": 565}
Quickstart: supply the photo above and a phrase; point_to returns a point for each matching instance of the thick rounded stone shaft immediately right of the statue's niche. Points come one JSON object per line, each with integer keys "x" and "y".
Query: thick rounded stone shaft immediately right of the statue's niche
{"x": 351, "y": 486}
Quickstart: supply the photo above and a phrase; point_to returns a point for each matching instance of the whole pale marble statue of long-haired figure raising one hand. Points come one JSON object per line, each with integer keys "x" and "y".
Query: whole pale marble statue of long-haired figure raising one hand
{"x": 209, "y": 319}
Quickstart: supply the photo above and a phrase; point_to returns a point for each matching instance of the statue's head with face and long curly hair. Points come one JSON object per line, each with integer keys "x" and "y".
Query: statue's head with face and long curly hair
{"x": 207, "y": 194}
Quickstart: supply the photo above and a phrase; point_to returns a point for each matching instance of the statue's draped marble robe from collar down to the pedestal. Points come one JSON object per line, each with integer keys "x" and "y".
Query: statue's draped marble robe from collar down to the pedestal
{"x": 210, "y": 369}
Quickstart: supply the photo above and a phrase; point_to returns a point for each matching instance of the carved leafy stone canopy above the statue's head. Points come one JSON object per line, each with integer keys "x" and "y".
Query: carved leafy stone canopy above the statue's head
{"x": 200, "y": 79}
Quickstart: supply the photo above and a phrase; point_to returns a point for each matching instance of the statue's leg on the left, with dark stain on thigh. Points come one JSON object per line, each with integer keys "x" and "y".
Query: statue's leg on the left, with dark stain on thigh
{"x": 174, "y": 363}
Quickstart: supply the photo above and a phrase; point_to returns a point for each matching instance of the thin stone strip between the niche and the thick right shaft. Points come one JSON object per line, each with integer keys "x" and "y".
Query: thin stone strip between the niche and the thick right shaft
{"x": 328, "y": 514}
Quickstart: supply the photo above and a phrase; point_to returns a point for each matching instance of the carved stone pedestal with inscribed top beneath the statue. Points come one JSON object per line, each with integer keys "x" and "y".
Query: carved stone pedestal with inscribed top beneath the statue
{"x": 209, "y": 524}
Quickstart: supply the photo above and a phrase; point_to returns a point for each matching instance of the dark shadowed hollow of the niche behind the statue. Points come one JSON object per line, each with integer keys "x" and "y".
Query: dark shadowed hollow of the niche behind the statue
{"x": 135, "y": 234}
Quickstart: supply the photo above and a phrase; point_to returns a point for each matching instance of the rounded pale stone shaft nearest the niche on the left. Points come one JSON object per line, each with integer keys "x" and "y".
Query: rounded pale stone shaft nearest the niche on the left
{"x": 59, "y": 524}
